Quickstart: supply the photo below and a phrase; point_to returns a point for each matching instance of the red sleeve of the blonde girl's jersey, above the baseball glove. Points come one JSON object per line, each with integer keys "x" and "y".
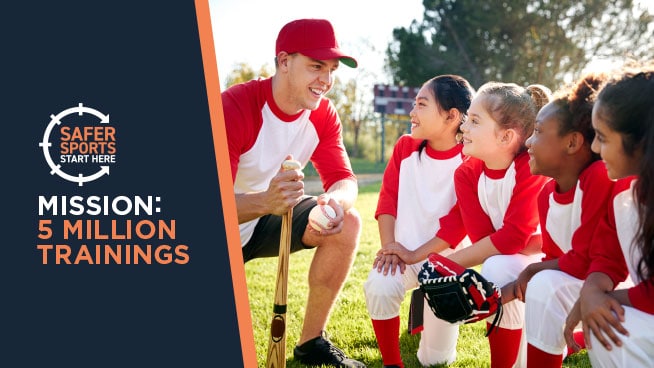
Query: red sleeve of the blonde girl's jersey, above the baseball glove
{"x": 521, "y": 218}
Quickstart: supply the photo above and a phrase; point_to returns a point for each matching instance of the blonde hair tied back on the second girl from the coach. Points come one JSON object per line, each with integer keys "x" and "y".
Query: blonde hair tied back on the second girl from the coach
{"x": 514, "y": 107}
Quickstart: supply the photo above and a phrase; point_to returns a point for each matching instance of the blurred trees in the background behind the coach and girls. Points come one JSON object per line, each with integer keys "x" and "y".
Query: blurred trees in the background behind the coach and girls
{"x": 521, "y": 41}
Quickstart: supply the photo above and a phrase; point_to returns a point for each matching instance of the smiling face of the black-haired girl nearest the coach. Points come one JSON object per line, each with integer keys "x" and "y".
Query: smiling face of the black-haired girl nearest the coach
{"x": 428, "y": 120}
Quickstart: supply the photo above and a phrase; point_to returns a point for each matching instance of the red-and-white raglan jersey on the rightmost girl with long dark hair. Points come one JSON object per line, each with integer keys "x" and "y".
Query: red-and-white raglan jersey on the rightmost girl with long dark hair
{"x": 614, "y": 243}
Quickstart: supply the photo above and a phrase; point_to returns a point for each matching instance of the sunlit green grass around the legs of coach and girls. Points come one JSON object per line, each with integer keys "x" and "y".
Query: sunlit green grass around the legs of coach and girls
{"x": 349, "y": 325}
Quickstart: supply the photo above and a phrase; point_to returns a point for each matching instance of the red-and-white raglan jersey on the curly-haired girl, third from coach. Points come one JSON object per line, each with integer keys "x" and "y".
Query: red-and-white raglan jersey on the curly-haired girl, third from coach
{"x": 569, "y": 220}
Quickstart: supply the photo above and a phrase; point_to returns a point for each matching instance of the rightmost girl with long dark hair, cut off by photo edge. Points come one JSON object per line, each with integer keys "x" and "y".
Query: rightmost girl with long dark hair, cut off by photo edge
{"x": 618, "y": 323}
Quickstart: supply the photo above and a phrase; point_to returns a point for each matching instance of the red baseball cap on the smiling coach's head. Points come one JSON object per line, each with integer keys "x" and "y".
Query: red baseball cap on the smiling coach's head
{"x": 314, "y": 38}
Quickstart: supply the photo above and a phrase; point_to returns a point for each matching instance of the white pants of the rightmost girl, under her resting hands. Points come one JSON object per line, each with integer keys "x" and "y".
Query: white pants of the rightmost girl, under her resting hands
{"x": 637, "y": 350}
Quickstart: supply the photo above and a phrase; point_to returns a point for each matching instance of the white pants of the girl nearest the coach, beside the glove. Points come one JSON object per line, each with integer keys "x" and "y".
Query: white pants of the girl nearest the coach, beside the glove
{"x": 384, "y": 296}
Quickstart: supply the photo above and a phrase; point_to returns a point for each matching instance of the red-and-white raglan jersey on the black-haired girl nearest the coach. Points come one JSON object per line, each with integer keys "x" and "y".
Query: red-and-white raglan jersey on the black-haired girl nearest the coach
{"x": 418, "y": 190}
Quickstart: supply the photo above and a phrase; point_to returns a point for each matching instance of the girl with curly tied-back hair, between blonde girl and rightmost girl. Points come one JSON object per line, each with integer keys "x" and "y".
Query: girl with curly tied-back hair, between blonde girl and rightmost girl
{"x": 570, "y": 208}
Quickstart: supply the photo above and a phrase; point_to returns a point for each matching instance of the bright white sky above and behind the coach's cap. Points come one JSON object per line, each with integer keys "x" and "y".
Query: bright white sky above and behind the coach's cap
{"x": 246, "y": 30}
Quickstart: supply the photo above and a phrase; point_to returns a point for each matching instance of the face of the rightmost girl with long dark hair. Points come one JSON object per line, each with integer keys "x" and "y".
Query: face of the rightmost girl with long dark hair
{"x": 609, "y": 145}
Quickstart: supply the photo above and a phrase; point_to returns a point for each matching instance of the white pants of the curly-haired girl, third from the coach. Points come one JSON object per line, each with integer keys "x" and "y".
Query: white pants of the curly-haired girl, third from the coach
{"x": 551, "y": 294}
